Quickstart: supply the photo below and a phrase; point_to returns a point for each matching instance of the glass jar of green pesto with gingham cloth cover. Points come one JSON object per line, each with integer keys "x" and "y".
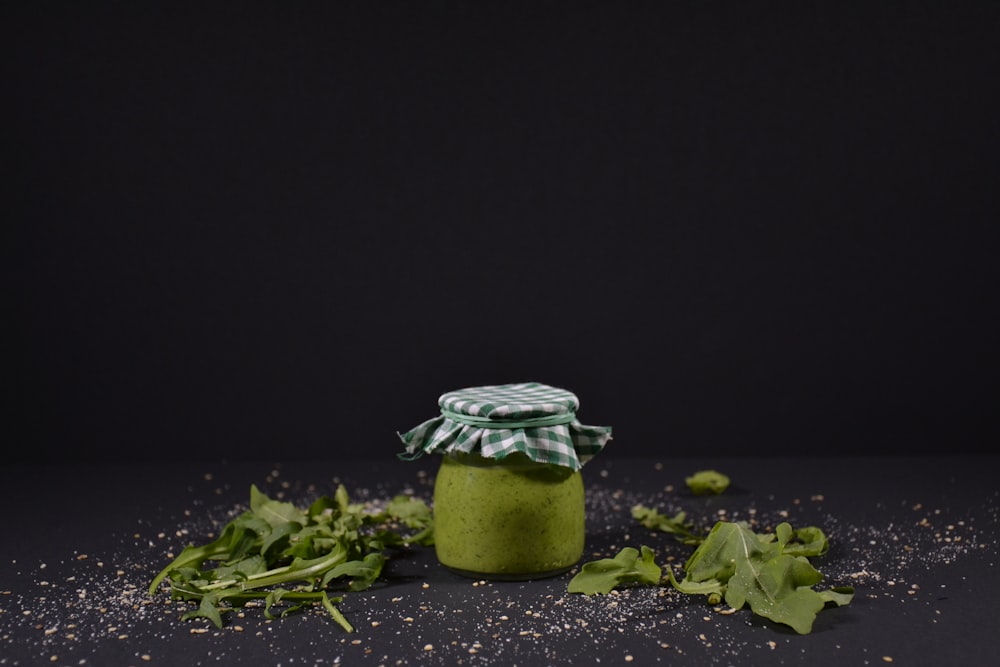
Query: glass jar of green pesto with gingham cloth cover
{"x": 508, "y": 497}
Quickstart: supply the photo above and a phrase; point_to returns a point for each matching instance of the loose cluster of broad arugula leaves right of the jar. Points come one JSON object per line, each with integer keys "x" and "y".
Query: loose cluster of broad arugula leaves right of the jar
{"x": 770, "y": 572}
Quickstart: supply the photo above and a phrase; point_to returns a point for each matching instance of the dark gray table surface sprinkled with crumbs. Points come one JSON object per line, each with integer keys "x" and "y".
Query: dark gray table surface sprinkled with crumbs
{"x": 916, "y": 537}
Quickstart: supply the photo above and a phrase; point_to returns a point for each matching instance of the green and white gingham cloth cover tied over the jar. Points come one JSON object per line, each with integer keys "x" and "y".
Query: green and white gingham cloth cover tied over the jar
{"x": 497, "y": 420}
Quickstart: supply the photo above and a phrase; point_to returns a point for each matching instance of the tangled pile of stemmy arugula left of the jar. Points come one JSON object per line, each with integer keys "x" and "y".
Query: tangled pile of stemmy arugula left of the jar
{"x": 332, "y": 545}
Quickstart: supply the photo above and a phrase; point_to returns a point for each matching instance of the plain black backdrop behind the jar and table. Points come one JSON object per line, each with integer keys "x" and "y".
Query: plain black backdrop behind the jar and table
{"x": 281, "y": 231}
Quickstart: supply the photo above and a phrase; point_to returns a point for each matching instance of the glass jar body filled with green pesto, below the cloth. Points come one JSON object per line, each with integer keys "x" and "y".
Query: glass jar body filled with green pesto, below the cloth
{"x": 508, "y": 518}
